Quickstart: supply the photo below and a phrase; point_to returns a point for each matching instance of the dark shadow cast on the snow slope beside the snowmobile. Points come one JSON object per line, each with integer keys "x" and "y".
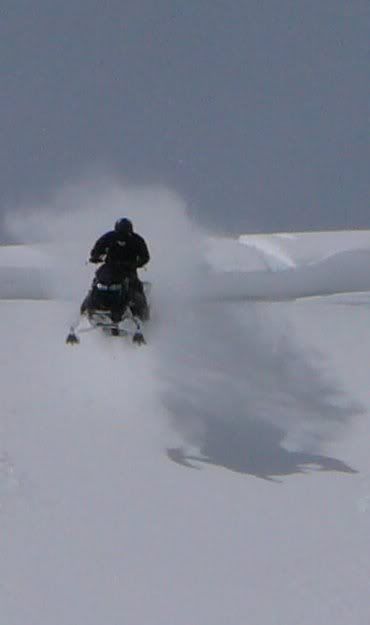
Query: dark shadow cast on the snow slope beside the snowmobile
{"x": 238, "y": 392}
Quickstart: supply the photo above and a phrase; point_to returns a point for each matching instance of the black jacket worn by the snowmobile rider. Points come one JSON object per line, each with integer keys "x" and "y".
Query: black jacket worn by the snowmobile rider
{"x": 133, "y": 251}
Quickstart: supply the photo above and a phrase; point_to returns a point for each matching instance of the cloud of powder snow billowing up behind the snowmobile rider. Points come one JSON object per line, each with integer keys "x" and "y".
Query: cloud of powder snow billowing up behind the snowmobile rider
{"x": 68, "y": 225}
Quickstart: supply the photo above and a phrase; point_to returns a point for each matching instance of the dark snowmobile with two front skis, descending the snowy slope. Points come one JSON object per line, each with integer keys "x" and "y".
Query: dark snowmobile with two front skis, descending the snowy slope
{"x": 111, "y": 306}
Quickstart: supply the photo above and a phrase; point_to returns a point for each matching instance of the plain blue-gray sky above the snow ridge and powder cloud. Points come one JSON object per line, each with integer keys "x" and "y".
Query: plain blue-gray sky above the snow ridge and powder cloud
{"x": 255, "y": 111}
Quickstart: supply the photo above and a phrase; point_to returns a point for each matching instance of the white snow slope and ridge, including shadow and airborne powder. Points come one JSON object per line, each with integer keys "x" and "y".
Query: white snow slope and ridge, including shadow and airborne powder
{"x": 219, "y": 475}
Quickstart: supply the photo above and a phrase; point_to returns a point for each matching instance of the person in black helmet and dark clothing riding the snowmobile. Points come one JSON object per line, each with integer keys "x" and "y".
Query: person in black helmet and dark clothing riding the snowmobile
{"x": 126, "y": 251}
